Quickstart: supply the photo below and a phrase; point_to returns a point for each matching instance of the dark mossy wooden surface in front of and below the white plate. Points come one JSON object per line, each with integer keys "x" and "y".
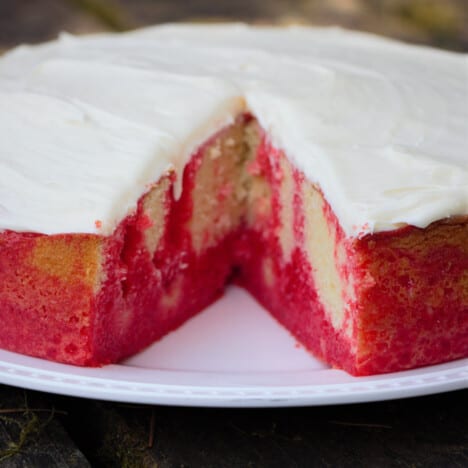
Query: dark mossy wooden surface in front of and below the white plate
{"x": 71, "y": 432}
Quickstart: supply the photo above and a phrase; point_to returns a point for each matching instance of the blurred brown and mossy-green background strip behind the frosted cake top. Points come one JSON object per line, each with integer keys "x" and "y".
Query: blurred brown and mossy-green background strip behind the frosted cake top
{"x": 441, "y": 23}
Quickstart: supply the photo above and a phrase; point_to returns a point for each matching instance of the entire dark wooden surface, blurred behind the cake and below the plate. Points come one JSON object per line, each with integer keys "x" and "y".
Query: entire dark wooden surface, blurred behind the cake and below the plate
{"x": 45, "y": 430}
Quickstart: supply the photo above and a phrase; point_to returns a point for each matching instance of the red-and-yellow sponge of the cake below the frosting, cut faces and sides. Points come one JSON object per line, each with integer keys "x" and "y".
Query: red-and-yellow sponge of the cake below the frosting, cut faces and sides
{"x": 380, "y": 303}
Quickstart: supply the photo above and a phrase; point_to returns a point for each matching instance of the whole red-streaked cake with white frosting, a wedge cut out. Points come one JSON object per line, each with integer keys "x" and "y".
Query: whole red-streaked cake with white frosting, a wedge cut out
{"x": 325, "y": 171}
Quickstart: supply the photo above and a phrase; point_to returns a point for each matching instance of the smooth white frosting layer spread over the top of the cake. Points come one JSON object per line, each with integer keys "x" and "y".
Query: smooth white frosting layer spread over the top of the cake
{"x": 89, "y": 122}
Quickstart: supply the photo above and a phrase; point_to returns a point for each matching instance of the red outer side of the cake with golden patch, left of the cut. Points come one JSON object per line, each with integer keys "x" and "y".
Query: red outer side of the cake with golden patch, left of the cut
{"x": 47, "y": 294}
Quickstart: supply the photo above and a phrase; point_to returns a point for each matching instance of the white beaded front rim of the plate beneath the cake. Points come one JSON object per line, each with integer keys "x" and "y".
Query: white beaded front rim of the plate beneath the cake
{"x": 132, "y": 384}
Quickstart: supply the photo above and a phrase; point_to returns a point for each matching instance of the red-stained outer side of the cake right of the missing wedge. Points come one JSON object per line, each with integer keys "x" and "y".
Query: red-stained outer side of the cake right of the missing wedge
{"x": 413, "y": 296}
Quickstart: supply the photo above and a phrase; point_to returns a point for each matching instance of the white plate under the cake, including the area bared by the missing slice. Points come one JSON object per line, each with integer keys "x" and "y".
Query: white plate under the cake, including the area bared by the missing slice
{"x": 233, "y": 355}
